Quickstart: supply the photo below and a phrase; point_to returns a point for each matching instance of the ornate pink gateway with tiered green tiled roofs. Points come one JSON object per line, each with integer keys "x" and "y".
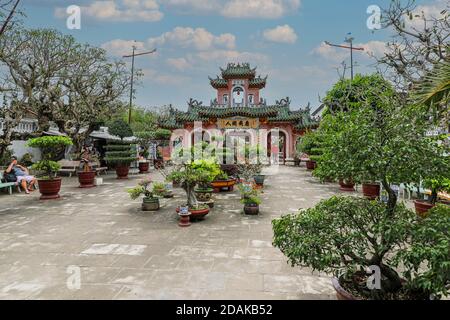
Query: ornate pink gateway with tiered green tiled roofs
{"x": 239, "y": 110}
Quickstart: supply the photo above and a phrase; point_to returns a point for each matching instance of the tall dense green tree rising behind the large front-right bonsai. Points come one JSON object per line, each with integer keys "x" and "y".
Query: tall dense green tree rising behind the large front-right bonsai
{"x": 376, "y": 136}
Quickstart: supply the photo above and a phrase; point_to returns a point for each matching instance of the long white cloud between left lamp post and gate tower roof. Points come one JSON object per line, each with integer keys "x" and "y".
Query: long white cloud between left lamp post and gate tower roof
{"x": 199, "y": 39}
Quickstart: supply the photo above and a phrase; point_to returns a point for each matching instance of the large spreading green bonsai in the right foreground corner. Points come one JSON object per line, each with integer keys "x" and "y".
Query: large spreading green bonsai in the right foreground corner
{"x": 346, "y": 235}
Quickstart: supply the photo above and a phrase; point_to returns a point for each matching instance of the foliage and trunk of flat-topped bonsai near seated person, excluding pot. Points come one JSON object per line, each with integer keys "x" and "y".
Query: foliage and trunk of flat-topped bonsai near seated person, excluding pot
{"x": 51, "y": 147}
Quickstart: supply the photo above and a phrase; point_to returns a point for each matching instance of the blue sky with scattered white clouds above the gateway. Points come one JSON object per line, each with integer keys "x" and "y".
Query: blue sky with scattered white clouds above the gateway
{"x": 283, "y": 38}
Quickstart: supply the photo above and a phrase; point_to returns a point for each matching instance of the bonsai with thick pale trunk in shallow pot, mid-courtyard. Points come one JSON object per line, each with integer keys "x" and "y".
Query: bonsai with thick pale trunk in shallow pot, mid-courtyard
{"x": 189, "y": 175}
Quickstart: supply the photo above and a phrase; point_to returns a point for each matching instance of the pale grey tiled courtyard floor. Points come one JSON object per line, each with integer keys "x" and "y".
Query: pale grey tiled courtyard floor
{"x": 124, "y": 253}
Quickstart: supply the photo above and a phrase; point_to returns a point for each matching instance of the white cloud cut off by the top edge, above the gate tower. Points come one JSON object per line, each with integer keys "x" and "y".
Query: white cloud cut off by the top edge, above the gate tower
{"x": 268, "y": 9}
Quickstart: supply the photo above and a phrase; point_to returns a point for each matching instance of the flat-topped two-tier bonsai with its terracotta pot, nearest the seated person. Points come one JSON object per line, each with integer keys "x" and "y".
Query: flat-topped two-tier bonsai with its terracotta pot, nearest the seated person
{"x": 51, "y": 147}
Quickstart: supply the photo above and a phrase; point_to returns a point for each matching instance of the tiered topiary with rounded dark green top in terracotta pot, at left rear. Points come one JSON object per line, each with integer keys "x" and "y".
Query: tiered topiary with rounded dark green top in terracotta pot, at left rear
{"x": 120, "y": 154}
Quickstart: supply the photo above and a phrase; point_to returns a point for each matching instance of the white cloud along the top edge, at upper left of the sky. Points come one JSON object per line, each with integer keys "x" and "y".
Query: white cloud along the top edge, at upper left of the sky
{"x": 120, "y": 10}
